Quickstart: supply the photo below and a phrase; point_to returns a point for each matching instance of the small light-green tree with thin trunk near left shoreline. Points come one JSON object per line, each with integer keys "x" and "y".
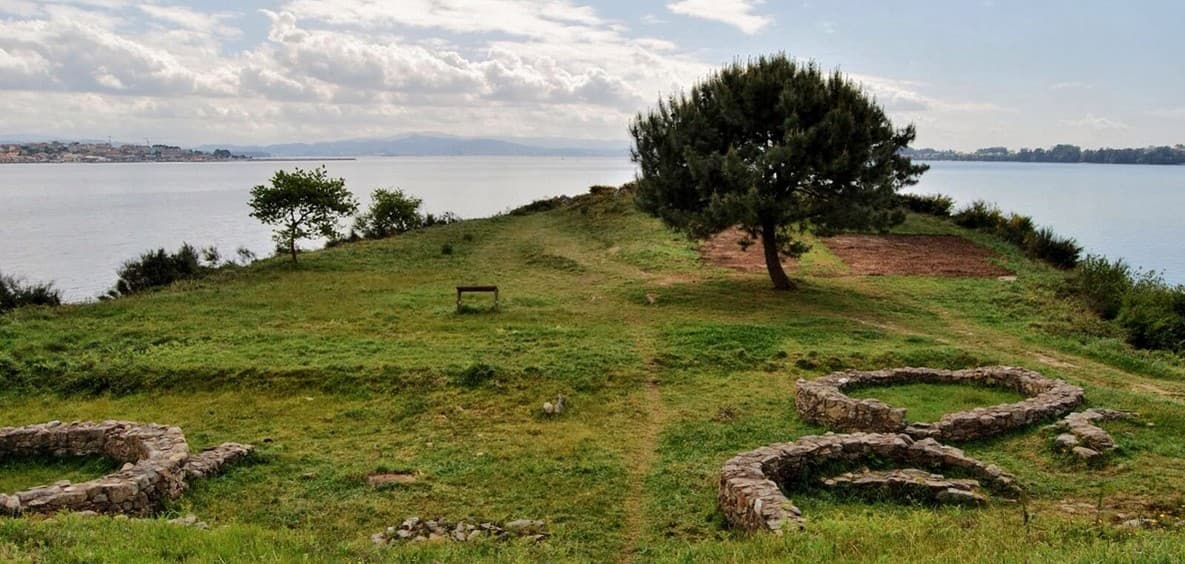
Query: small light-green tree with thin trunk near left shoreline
{"x": 303, "y": 204}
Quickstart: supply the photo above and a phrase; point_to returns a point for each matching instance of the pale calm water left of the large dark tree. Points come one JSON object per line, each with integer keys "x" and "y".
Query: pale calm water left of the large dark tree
{"x": 75, "y": 225}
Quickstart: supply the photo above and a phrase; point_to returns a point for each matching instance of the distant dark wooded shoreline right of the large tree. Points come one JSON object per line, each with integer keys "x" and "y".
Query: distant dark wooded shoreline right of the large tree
{"x": 1060, "y": 153}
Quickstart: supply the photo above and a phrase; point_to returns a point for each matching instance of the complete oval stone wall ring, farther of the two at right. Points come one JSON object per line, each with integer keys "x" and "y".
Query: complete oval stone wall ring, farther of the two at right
{"x": 823, "y": 401}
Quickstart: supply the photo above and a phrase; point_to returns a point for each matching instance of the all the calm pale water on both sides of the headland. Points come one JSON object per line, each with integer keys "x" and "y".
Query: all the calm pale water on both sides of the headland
{"x": 75, "y": 225}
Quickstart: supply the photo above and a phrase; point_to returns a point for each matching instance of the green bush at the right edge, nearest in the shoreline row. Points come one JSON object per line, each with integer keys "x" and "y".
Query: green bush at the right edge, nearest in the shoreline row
{"x": 1154, "y": 315}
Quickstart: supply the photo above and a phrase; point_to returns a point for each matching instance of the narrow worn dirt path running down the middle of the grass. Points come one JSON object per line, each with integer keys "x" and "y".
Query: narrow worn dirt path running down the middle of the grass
{"x": 644, "y": 457}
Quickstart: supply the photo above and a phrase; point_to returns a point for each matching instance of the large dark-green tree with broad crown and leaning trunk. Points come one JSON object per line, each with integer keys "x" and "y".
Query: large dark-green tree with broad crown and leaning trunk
{"x": 777, "y": 148}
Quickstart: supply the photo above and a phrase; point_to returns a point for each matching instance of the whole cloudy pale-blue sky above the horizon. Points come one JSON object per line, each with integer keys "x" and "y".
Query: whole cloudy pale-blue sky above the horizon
{"x": 968, "y": 74}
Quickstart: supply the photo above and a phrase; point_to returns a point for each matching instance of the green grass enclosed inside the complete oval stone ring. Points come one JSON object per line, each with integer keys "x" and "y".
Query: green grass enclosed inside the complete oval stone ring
{"x": 931, "y": 402}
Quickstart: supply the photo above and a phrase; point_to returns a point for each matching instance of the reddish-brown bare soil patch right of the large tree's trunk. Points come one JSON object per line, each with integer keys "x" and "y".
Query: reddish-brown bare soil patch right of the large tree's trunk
{"x": 914, "y": 255}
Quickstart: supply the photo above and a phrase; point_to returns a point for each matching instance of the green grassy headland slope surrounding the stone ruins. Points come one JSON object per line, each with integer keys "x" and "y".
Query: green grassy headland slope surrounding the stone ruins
{"x": 345, "y": 366}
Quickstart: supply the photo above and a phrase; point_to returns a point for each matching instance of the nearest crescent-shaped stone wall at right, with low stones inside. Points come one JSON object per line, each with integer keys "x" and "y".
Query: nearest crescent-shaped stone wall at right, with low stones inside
{"x": 751, "y": 489}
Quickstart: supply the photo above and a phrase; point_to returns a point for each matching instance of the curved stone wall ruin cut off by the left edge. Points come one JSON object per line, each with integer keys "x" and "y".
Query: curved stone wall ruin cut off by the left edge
{"x": 157, "y": 464}
